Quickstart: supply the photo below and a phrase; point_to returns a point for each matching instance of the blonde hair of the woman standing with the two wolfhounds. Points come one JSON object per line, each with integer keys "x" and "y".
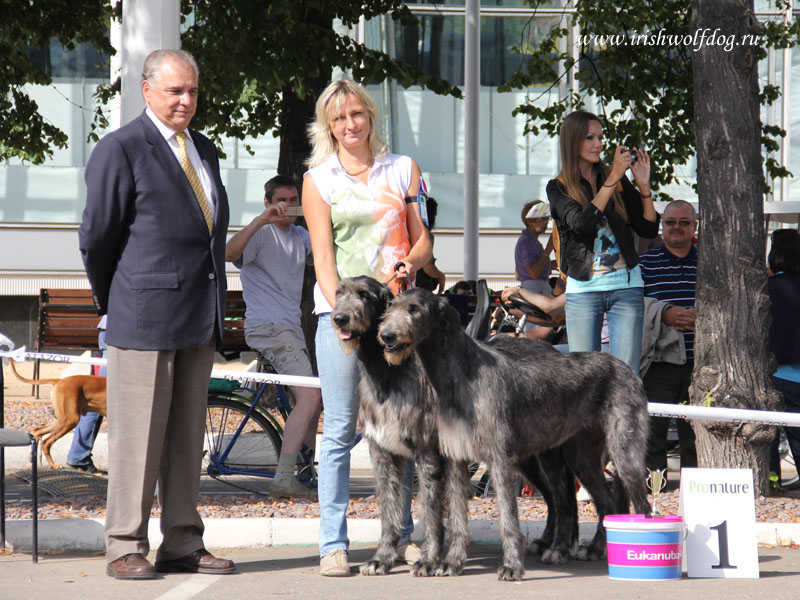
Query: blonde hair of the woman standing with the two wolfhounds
{"x": 329, "y": 103}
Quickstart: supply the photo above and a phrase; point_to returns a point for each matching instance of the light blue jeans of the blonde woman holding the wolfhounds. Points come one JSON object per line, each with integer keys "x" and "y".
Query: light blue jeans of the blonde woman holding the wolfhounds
{"x": 338, "y": 374}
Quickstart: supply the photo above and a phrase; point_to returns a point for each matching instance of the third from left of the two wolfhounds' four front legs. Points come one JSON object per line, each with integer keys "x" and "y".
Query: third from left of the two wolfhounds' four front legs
{"x": 458, "y": 489}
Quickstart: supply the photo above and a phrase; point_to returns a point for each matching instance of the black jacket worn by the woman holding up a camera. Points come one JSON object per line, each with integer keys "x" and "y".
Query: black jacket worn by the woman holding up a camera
{"x": 577, "y": 226}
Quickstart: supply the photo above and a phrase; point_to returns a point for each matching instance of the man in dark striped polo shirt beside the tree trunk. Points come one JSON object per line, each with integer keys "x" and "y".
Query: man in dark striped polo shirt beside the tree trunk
{"x": 669, "y": 274}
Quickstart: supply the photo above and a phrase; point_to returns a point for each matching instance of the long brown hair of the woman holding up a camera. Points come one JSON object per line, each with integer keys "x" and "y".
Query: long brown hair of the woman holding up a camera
{"x": 574, "y": 129}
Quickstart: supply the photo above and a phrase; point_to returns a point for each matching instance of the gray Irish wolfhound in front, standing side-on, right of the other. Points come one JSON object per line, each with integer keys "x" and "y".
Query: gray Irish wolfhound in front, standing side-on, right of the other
{"x": 508, "y": 402}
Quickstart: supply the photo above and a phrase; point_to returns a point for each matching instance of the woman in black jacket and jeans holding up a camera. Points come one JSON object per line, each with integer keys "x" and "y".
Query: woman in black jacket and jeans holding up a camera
{"x": 596, "y": 212}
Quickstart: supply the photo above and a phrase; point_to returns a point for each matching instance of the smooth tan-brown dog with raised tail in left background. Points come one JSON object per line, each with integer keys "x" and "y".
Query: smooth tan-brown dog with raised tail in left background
{"x": 72, "y": 397}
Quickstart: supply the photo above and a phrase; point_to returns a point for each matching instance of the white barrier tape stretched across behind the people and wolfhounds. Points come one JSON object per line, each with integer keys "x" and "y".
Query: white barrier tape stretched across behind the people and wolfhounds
{"x": 656, "y": 409}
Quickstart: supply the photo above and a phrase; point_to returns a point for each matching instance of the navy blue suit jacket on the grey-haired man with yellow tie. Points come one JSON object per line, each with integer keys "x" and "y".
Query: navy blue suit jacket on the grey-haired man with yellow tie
{"x": 151, "y": 263}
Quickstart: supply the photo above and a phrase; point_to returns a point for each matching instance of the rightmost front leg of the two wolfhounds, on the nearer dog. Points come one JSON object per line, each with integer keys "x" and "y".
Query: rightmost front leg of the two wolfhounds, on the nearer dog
{"x": 505, "y": 479}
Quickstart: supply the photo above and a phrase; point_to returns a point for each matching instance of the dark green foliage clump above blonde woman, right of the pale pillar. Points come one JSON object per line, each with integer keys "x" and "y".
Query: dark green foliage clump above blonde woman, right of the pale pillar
{"x": 251, "y": 53}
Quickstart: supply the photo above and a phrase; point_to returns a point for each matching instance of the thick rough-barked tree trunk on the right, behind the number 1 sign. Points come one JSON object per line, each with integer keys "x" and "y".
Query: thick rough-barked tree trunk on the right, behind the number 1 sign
{"x": 731, "y": 359}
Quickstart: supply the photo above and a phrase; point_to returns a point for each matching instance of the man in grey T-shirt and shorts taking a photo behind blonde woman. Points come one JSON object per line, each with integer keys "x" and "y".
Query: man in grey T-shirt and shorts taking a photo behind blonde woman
{"x": 272, "y": 253}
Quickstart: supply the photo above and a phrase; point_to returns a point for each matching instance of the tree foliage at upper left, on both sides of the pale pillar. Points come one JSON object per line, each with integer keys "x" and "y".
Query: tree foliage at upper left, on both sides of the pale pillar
{"x": 251, "y": 54}
